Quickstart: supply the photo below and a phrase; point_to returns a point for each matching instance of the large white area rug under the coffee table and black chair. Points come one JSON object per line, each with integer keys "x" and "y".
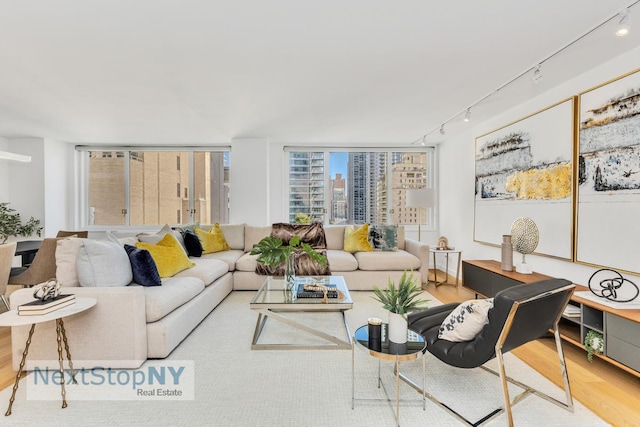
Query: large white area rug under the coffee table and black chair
{"x": 236, "y": 386}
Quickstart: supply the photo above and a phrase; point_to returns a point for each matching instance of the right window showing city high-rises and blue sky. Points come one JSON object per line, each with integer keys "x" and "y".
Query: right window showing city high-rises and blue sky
{"x": 336, "y": 187}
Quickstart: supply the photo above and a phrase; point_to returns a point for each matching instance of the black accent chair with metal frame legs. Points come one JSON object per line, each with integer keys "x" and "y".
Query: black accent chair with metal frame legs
{"x": 520, "y": 314}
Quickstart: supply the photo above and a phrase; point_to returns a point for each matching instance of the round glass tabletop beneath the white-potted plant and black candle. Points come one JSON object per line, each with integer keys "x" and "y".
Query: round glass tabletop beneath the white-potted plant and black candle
{"x": 385, "y": 349}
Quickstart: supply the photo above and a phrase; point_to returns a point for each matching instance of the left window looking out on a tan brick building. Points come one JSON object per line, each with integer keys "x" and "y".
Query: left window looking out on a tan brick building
{"x": 145, "y": 188}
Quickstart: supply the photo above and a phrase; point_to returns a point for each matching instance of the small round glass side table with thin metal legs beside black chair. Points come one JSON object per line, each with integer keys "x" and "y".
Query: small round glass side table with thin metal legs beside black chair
{"x": 387, "y": 350}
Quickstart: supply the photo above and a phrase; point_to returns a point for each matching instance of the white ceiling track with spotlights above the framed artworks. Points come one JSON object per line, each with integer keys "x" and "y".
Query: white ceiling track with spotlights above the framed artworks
{"x": 623, "y": 23}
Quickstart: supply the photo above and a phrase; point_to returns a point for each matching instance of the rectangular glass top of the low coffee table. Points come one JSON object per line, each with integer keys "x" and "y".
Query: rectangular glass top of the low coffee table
{"x": 274, "y": 291}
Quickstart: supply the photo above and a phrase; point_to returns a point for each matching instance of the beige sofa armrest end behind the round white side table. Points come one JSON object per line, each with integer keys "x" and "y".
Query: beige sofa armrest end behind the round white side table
{"x": 112, "y": 333}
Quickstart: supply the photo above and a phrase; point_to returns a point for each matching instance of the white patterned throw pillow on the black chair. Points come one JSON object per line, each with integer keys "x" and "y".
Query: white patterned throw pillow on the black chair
{"x": 466, "y": 320}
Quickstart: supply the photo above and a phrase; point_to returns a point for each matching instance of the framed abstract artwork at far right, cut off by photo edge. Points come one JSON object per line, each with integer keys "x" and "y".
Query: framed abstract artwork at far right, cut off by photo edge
{"x": 608, "y": 187}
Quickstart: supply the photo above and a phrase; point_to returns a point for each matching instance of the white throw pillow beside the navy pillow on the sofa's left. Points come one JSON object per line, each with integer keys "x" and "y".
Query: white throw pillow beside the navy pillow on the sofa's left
{"x": 103, "y": 263}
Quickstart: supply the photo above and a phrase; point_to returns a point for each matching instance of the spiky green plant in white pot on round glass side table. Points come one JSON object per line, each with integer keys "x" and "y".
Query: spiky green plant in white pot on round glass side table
{"x": 400, "y": 301}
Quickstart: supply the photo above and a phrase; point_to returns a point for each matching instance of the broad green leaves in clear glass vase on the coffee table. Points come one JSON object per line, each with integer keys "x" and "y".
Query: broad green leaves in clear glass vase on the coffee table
{"x": 272, "y": 252}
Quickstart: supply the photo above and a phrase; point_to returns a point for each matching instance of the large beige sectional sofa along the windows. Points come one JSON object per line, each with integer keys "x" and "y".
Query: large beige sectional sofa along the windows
{"x": 130, "y": 324}
